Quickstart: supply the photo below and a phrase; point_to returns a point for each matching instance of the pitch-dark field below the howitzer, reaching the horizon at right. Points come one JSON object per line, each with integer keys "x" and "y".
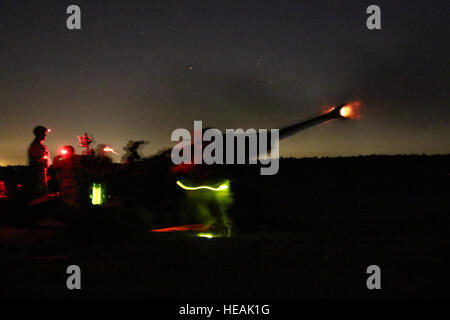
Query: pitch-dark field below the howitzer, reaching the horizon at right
{"x": 309, "y": 232}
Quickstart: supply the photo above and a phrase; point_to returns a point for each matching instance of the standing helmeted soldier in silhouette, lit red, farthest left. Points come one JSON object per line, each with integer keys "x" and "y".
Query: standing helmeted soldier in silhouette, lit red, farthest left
{"x": 38, "y": 158}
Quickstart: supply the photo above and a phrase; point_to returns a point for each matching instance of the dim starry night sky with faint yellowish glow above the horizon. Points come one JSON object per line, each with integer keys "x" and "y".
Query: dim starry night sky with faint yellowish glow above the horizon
{"x": 140, "y": 69}
